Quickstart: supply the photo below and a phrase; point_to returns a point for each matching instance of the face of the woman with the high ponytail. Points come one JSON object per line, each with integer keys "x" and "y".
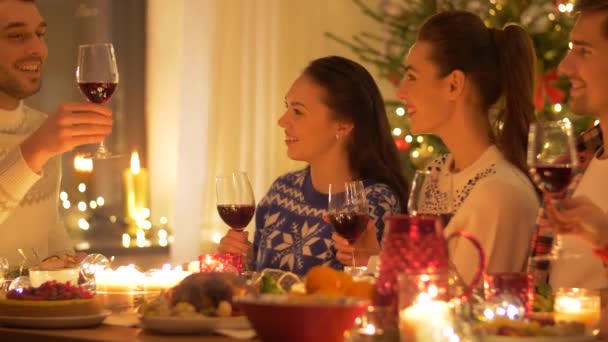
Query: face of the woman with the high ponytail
{"x": 423, "y": 92}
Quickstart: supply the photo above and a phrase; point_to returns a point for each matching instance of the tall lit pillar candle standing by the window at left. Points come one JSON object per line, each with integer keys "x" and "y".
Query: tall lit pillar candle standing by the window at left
{"x": 136, "y": 192}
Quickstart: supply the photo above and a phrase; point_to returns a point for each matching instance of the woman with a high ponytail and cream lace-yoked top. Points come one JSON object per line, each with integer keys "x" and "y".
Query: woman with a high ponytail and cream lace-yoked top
{"x": 473, "y": 87}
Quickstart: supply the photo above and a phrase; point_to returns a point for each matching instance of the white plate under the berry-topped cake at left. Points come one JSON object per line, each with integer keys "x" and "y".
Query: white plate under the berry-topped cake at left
{"x": 54, "y": 322}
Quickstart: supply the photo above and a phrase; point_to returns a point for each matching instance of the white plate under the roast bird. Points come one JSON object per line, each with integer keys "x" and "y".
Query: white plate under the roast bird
{"x": 192, "y": 325}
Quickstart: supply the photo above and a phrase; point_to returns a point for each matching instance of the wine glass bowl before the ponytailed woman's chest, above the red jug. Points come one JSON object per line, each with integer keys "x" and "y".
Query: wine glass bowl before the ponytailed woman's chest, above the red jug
{"x": 425, "y": 186}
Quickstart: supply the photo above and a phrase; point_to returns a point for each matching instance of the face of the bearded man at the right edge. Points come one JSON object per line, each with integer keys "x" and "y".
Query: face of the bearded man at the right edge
{"x": 586, "y": 65}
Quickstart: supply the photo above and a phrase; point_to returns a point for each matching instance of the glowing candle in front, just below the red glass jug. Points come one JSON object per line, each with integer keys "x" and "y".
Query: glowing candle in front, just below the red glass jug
{"x": 426, "y": 320}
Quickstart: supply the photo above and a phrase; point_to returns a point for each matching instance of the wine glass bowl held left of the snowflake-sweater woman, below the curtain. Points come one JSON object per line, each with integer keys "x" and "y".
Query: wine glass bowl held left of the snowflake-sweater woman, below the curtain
{"x": 235, "y": 202}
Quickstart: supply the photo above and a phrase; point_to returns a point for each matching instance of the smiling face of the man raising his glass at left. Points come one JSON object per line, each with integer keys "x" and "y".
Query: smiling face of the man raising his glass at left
{"x": 22, "y": 51}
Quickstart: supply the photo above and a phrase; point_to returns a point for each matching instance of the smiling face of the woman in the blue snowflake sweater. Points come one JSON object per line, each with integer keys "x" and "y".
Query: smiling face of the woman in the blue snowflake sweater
{"x": 310, "y": 130}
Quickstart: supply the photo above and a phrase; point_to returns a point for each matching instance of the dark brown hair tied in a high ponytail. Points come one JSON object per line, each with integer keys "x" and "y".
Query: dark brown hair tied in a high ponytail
{"x": 500, "y": 64}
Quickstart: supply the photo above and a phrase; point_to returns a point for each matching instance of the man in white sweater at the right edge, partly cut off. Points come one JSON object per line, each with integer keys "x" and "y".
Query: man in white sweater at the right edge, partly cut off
{"x": 586, "y": 65}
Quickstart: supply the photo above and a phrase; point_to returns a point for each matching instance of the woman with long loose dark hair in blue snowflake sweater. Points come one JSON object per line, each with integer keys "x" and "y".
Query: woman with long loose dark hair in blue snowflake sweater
{"x": 335, "y": 120}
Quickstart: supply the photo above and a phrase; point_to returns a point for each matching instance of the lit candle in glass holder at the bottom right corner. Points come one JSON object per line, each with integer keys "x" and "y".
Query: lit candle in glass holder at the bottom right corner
{"x": 577, "y": 305}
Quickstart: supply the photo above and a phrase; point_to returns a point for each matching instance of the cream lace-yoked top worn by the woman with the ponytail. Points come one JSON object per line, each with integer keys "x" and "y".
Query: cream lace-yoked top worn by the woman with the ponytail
{"x": 494, "y": 201}
